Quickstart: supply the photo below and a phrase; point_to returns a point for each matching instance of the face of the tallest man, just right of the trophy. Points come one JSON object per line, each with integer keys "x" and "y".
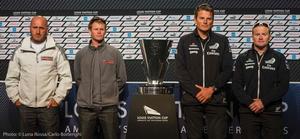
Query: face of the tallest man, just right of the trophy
{"x": 204, "y": 20}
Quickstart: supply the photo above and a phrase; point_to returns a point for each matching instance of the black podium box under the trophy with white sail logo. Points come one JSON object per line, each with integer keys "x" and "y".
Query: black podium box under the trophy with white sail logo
{"x": 152, "y": 117}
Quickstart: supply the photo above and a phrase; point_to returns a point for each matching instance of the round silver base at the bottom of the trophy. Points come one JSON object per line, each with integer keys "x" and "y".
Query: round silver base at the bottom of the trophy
{"x": 153, "y": 90}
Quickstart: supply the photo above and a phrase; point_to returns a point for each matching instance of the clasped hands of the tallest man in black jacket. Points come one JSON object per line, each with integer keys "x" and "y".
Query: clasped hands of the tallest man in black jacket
{"x": 204, "y": 95}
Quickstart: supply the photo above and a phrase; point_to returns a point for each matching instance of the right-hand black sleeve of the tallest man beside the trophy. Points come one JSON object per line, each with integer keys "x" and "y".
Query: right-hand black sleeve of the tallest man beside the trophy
{"x": 226, "y": 66}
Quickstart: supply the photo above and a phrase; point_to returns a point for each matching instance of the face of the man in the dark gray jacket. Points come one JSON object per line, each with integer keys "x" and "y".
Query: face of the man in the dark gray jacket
{"x": 97, "y": 31}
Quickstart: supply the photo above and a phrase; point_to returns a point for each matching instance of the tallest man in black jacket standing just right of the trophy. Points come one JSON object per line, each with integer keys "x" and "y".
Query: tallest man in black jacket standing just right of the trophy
{"x": 203, "y": 66}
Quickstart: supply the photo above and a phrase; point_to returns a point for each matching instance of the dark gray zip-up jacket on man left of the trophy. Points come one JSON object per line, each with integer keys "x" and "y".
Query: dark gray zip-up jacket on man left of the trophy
{"x": 100, "y": 75}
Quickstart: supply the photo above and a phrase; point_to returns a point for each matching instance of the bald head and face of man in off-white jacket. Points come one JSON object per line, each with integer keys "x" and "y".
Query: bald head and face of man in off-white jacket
{"x": 38, "y": 29}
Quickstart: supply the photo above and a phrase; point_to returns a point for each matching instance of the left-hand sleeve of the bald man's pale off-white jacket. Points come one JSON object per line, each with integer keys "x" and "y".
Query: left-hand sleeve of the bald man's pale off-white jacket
{"x": 13, "y": 78}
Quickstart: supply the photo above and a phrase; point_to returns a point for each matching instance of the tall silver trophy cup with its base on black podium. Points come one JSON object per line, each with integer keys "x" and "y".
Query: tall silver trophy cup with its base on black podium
{"x": 155, "y": 63}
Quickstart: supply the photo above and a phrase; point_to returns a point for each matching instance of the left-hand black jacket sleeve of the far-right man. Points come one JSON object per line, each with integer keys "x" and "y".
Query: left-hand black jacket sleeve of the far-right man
{"x": 238, "y": 83}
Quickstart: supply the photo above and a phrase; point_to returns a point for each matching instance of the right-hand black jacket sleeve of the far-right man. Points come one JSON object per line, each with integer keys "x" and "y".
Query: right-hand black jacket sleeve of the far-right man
{"x": 282, "y": 84}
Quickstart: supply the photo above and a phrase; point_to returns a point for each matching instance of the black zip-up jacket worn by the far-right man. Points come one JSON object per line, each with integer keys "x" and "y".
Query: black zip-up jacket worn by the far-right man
{"x": 265, "y": 77}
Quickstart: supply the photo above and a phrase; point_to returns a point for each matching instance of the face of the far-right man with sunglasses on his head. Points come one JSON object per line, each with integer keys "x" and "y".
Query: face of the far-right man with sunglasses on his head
{"x": 261, "y": 36}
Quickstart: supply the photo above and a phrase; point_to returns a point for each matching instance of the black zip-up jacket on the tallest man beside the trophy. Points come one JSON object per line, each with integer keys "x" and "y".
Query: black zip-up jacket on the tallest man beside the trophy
{"x": 208, "y": 64}
